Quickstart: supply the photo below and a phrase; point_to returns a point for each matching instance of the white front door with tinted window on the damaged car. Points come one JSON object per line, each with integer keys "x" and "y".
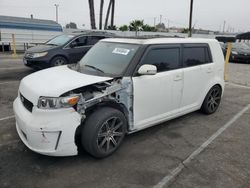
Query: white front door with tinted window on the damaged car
{"x": 157, "y": 97}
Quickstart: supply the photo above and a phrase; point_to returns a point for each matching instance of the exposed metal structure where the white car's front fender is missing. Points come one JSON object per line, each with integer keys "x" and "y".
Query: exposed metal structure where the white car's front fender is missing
{"x": 116, "y": 93}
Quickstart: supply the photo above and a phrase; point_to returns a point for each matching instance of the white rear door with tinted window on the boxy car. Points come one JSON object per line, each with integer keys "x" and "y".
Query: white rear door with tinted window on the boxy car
{"x": 198, "y": 71}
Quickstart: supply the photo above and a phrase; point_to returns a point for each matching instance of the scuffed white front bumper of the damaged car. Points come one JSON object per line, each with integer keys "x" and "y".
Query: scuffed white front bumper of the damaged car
{"x": 48, "y": 132}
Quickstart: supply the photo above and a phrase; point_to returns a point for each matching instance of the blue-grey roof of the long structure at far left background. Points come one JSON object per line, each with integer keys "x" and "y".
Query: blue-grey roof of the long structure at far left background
{"x": 10, "y": 22}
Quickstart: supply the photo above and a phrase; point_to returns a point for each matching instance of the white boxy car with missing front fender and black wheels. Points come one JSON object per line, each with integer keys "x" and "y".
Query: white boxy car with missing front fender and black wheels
{"x": 121, "y": 86}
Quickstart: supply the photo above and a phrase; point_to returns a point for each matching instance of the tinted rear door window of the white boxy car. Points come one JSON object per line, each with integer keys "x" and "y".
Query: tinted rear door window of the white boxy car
{"x": 193, "y": 56}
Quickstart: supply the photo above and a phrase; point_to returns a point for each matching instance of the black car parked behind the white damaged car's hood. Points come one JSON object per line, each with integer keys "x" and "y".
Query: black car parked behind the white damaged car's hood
{"x": 62, "y": 49}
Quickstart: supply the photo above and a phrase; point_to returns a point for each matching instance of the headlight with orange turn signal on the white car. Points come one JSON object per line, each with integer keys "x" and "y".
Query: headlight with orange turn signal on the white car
{"x": 57, "y": 102}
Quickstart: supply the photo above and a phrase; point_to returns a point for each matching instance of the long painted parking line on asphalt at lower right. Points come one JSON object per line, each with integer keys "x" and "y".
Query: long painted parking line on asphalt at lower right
{"x": 167, "y": 180}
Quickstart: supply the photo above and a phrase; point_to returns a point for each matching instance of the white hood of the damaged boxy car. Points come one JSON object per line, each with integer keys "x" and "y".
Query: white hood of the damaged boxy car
{"x": 54, "y": 82}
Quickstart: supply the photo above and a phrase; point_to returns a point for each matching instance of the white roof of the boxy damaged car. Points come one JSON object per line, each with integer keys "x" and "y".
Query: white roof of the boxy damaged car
{"x": 159, "y": 40}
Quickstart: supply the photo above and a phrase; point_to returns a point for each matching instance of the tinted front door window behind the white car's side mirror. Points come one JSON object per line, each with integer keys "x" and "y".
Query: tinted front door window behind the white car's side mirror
{"x": 164, "y": 58}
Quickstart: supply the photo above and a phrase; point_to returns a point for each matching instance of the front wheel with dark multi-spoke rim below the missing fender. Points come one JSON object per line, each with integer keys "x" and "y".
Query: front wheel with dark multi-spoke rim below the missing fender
{"x": 103, "y": 132}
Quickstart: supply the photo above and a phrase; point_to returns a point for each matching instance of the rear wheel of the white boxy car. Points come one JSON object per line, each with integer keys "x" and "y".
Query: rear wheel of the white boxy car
{"x": 212, "y": 100}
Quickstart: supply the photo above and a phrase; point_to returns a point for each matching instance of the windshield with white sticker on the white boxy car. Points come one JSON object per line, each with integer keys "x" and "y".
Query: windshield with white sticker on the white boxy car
{"x": 109, "y": 58}
